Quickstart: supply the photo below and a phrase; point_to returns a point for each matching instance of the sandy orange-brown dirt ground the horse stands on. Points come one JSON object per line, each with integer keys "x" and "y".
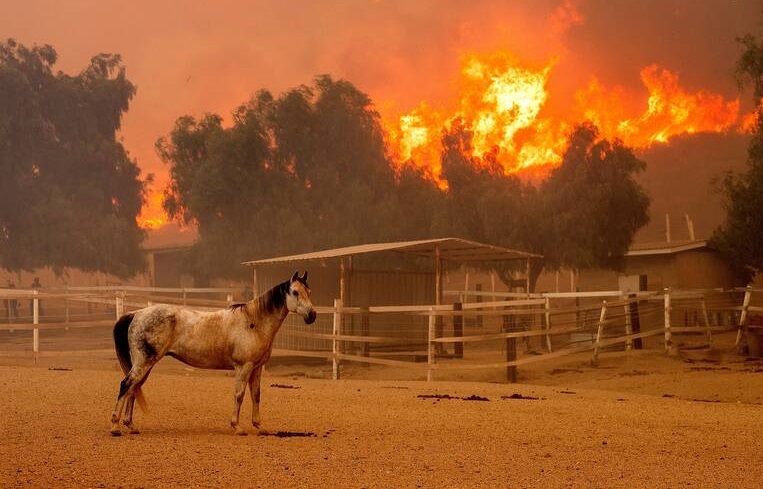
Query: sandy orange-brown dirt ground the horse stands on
{"x": 637, "y": 419}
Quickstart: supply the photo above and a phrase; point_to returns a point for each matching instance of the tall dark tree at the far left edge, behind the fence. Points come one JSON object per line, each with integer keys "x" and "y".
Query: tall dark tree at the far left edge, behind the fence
{"x": 69, "y": 193}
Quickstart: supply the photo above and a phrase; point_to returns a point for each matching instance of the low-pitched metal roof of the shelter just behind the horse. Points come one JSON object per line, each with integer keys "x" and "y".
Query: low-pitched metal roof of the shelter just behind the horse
{"x": 451, "y": 249}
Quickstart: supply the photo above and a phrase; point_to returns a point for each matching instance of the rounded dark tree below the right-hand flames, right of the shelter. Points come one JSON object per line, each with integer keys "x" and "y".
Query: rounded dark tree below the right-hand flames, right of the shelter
{"x": 592, "y": 204}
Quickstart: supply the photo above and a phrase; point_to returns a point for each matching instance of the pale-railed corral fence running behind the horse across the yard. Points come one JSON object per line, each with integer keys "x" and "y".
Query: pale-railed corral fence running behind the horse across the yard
{"x": 476, "y": 331}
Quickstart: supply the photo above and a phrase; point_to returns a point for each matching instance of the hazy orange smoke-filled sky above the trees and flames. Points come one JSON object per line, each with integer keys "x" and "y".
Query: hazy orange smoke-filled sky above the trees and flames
{"x": 192, "y": 57}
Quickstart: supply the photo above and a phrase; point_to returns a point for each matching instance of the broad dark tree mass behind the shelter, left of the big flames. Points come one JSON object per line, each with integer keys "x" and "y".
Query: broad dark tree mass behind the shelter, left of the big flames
{"x": 306, "y": 170}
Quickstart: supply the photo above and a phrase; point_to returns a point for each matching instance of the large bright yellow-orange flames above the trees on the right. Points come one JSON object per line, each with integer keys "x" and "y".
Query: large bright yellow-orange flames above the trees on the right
{"x": 505, "y": 106}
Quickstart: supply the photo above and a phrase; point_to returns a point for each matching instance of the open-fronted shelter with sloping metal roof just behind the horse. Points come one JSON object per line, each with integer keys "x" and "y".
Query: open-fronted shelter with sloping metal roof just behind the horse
{"x": 336, "y": 274}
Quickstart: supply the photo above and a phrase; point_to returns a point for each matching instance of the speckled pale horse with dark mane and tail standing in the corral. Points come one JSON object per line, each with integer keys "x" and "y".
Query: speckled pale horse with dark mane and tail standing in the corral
{"x": 238, "y": 338}
